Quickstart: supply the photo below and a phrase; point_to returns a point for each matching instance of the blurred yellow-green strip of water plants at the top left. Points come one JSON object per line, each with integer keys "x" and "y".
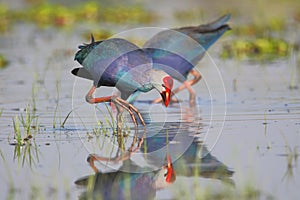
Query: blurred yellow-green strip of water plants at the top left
{"x": 54, "y": 14}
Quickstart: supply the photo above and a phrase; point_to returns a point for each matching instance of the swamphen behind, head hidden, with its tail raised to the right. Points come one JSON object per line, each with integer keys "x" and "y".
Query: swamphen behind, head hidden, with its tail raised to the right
{"x": 177, "y": 51}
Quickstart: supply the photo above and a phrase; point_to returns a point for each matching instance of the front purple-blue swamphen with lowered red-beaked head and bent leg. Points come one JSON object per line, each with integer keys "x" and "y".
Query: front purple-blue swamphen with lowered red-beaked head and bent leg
{"x": 118, "y": 63}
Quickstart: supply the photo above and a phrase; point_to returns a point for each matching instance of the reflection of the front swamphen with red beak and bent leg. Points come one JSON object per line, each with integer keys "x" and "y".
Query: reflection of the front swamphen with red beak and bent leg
{"x": 122, "y": 184}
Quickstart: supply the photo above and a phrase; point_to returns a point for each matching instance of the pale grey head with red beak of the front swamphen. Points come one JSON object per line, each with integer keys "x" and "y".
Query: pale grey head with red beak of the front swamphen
{"x": 163, "y": 83}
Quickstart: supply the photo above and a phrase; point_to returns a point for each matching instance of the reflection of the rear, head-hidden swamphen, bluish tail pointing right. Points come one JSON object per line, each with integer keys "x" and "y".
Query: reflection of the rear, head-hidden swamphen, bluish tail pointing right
{"x": 195, "y": 160}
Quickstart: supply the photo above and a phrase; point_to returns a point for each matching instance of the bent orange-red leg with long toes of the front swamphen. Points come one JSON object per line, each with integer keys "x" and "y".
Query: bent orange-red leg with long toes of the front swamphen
{"x": 117, "y": 100}
